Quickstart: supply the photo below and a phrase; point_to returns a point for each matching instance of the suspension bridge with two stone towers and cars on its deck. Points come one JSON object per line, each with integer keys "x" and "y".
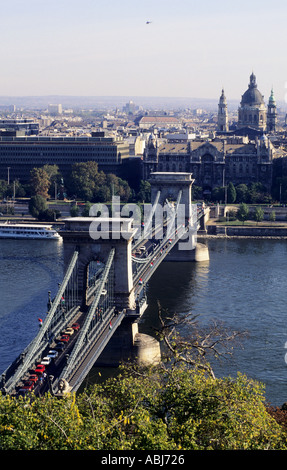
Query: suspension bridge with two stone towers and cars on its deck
{"x": 108, "y": 262}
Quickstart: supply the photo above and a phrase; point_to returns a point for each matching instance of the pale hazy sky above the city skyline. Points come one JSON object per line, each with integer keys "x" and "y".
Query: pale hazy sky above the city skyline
{"x": 104, "y": 47}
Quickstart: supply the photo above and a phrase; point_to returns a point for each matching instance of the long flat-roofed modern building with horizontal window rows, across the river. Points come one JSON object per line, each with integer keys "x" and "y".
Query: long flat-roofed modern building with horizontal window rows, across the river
{"x": 22, "y": 154}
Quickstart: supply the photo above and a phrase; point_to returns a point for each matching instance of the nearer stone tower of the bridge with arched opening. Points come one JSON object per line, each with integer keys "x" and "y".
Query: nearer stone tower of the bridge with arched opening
{"x": 94, "y": 238}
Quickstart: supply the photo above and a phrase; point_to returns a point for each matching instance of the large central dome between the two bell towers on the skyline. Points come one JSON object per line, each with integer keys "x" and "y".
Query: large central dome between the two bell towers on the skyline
{"x": 252, "y": 111}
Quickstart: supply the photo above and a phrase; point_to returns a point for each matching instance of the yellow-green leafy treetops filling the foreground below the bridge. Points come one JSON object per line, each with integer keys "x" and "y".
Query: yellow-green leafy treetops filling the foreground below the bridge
{"x": 154, "y": 409}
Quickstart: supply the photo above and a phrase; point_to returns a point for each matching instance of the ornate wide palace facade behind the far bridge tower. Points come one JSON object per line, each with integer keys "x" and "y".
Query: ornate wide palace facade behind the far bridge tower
{"x": 214, "y": 163}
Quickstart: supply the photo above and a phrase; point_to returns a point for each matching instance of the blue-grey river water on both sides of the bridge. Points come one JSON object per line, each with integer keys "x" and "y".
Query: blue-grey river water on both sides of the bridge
{"x": 243, "y": 285}
